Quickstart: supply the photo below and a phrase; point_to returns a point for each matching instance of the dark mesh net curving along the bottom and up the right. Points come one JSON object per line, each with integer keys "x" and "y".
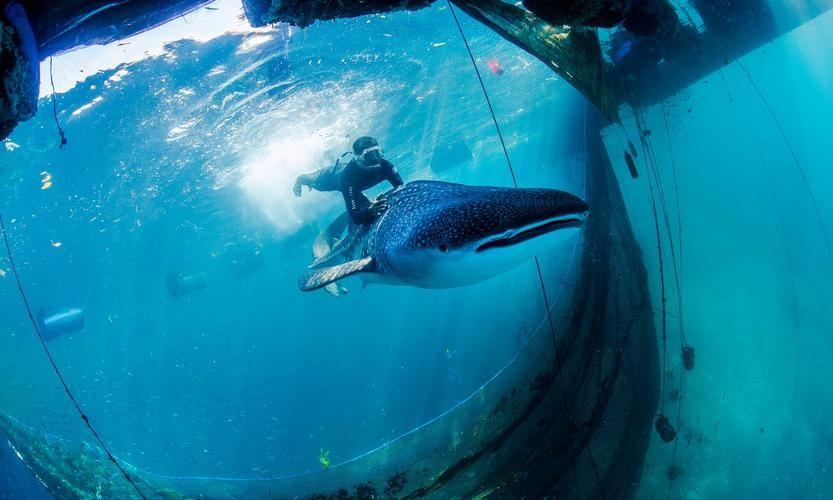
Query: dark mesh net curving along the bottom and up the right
{"x": 565, "y": 414}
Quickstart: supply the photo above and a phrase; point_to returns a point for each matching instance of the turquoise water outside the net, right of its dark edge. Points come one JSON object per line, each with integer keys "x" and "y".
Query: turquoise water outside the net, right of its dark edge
{"x": 755, "y": 202}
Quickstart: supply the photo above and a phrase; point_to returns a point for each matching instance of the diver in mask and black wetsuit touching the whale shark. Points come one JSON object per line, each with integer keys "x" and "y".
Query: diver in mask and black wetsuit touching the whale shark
{"x": 367, "y": 169}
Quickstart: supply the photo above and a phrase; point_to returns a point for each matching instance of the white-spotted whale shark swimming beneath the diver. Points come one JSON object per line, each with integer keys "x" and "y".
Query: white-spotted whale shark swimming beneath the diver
{"x": 443, "y": 235}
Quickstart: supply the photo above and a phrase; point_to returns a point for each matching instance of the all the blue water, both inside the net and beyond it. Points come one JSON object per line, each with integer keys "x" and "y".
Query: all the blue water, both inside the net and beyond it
{"x": 184, "y": 162}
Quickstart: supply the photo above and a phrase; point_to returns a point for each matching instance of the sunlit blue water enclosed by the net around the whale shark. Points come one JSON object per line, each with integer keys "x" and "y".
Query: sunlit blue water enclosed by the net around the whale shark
{"x": 175, "y": 169}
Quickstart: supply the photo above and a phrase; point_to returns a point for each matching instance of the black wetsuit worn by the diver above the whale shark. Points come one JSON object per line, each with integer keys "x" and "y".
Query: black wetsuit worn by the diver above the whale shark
{"x": 351, "y": 180}
